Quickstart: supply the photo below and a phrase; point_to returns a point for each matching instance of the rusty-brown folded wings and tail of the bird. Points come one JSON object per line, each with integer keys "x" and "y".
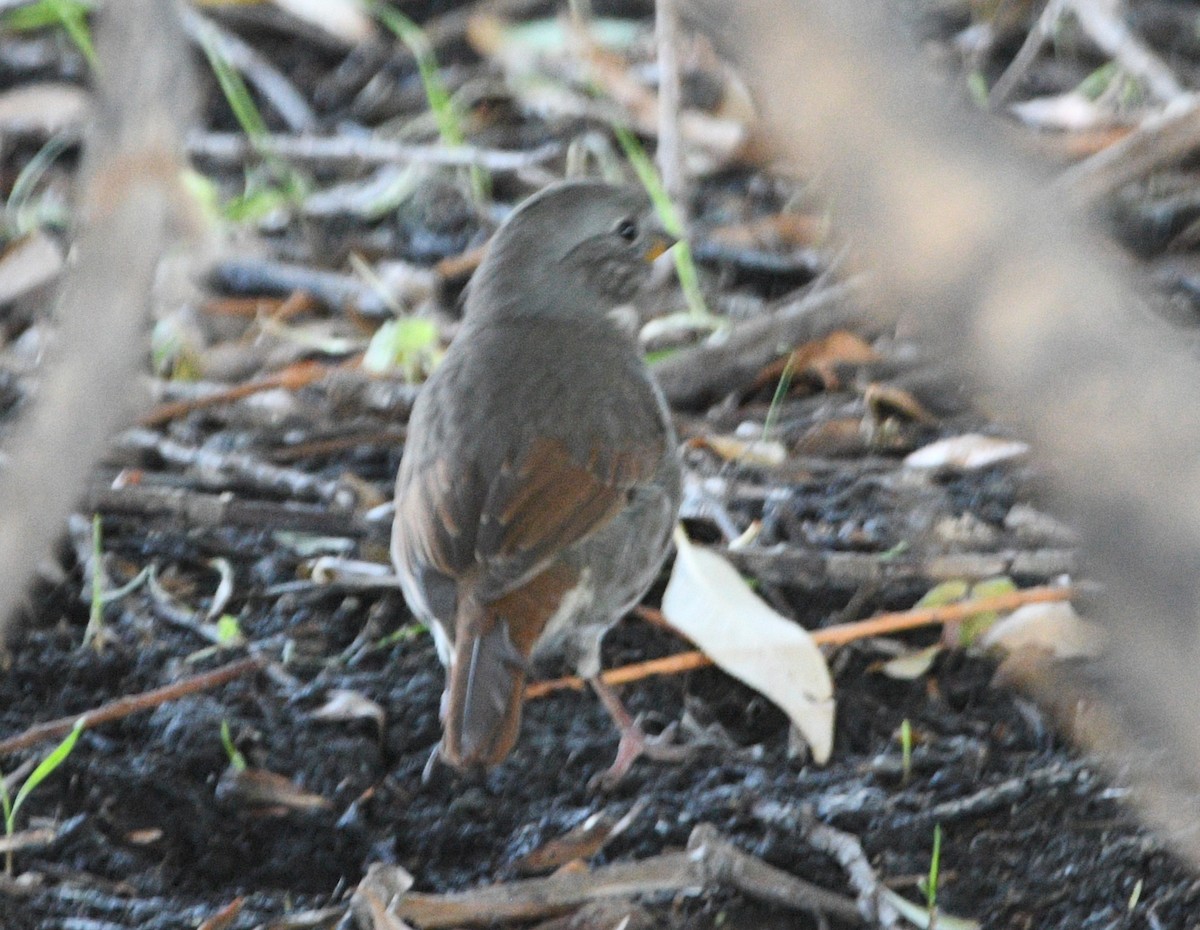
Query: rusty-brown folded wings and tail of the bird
{"x": 482, "y": 556}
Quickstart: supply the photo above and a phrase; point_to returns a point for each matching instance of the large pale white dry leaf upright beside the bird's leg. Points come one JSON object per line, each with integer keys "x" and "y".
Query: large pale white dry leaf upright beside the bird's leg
{"x": 710, "y": 603}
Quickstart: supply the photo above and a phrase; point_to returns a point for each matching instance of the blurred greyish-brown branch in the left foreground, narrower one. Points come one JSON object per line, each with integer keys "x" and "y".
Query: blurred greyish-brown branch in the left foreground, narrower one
{"x": 128, "y": 211}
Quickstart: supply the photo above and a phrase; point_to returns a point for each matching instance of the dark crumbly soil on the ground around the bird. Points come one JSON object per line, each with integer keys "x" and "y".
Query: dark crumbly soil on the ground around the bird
{"x": 152, "y": 836}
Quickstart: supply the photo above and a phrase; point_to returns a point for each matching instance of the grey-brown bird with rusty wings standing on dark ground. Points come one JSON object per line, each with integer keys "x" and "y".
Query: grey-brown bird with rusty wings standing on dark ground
{"x": 541, "y": 478}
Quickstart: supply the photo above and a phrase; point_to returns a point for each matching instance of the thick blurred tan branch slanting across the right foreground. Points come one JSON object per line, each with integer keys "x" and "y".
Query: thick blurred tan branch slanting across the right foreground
{"x": 971, "y": 244}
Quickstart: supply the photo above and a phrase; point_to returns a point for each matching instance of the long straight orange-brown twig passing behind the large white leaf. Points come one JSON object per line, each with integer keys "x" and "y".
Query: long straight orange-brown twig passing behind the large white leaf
{"x": 845, "y": 633}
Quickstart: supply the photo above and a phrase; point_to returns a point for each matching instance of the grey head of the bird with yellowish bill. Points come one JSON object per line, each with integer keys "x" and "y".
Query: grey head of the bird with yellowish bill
{"x": 575, "y": 247}
